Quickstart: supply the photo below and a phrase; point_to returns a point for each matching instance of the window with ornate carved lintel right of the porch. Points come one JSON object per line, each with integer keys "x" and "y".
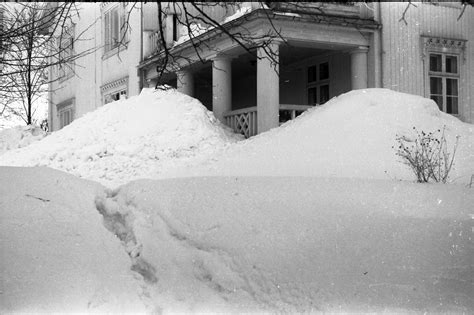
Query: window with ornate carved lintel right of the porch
{"x": 442, "y": 61}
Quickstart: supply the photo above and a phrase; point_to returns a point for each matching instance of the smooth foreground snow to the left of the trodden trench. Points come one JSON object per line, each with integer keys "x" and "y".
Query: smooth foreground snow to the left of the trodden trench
{"x": 56, "y": 255}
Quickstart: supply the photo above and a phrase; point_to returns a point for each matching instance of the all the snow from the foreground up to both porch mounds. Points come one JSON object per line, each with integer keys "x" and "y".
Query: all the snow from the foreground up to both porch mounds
{"x": 318, "y": 215}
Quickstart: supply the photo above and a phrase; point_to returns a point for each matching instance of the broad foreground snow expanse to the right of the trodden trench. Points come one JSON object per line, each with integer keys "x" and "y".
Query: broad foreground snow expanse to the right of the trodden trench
{"x": 294, "y": 244}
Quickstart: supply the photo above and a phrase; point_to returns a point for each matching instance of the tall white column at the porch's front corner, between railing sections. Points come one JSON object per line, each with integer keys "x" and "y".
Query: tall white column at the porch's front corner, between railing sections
{"x": 268, "y": 88}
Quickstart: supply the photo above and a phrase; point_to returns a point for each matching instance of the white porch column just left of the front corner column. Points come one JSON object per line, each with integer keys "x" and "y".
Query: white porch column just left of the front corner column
{"x": 221, "y": 86}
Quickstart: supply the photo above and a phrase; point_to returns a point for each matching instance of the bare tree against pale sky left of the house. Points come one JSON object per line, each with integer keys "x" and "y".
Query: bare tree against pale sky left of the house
{"x": 35, "y": 37}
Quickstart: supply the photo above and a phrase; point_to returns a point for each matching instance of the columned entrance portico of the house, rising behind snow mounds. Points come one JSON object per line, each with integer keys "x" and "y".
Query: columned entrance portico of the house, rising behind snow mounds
{"x": 253, "y": 92}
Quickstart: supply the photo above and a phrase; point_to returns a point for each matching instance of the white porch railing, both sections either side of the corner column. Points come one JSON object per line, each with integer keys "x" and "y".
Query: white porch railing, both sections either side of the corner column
{"x": 244, "y": 120}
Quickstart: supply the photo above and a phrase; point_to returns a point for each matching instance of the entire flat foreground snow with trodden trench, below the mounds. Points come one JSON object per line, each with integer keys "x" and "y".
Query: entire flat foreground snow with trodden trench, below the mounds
{"x": 234, "y": 244}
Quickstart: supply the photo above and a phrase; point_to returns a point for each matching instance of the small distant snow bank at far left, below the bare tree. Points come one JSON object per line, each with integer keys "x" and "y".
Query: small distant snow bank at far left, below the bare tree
{"x": 19, "y": 137}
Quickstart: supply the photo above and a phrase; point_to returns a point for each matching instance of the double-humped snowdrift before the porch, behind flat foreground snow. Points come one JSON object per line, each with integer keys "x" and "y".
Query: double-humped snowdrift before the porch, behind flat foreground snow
{"x": 166, "y": 134}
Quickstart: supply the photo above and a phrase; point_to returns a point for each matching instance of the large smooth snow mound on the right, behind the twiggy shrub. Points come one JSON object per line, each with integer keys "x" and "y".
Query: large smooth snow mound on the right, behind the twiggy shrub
{"x": 350, "y": 136}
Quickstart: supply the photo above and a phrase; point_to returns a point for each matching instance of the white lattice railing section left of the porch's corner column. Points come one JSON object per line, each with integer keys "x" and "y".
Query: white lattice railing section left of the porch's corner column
{"x": 243, "y": 121}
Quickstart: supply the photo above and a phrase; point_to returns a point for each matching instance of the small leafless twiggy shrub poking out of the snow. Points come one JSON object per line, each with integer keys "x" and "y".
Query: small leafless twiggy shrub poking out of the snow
{"x": 427, "y": 155}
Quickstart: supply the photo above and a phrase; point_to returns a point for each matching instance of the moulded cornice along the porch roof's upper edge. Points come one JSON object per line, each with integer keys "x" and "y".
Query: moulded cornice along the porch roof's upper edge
{"x": 362, "y": 25}
